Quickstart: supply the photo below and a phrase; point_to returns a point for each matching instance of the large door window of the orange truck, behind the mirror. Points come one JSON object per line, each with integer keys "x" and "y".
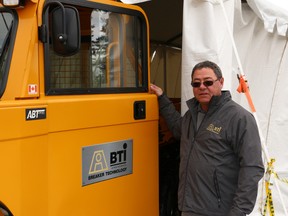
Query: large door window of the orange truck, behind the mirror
{"x": 111, "y": 59}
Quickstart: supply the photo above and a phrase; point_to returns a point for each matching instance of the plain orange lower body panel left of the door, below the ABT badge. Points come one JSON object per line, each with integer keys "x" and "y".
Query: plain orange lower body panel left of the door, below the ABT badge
{"x": 24, "y": 170}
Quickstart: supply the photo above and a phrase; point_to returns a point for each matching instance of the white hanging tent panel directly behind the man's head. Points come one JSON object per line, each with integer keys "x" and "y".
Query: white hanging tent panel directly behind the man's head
{"x": 204, "y": 37}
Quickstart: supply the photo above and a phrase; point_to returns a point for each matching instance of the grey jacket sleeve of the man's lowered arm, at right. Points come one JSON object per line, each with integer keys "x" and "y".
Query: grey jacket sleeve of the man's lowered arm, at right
{"x": 247, "y": 146}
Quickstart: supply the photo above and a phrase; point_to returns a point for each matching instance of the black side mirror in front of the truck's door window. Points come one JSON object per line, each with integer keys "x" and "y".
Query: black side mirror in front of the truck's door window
{"x": 65, "y": 33}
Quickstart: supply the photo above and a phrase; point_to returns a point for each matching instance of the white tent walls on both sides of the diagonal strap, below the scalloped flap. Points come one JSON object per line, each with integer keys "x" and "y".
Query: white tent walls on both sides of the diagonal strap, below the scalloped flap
{"x": 264, "y": 59}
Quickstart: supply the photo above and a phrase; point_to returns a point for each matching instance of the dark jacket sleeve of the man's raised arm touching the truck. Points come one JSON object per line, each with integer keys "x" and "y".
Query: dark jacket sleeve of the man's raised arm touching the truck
{"x": 171, "y": 115}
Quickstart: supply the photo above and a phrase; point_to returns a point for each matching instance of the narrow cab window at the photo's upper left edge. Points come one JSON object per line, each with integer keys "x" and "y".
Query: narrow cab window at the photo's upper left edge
{"x": 6, "y": 24}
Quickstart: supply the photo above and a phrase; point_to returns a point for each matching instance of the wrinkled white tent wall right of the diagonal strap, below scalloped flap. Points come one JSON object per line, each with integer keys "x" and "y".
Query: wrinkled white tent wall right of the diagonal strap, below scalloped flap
{"x": 264, "y": 57}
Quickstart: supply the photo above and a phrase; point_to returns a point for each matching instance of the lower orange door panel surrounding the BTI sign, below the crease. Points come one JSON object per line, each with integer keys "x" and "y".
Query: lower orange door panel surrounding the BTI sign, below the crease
{"x": 135, "y": 194}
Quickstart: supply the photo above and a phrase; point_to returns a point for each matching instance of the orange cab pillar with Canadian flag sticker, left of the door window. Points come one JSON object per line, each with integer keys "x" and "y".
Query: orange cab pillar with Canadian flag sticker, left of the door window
{"x": 24, "y": 63}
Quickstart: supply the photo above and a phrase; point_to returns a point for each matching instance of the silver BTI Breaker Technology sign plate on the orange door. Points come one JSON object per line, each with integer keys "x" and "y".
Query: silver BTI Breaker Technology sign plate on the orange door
{"x": 106, "y": 161}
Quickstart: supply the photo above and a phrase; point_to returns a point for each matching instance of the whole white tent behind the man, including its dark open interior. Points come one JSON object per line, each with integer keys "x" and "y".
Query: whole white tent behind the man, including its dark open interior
{"x": 259, "y": 30}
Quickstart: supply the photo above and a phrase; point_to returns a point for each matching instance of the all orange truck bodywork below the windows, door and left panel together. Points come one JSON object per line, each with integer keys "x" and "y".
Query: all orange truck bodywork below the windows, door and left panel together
{"x": 43, "y": 165}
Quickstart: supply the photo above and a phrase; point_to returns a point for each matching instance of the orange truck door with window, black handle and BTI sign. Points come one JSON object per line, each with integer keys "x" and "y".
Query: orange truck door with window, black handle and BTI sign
{"x": 103, "y": 123}
